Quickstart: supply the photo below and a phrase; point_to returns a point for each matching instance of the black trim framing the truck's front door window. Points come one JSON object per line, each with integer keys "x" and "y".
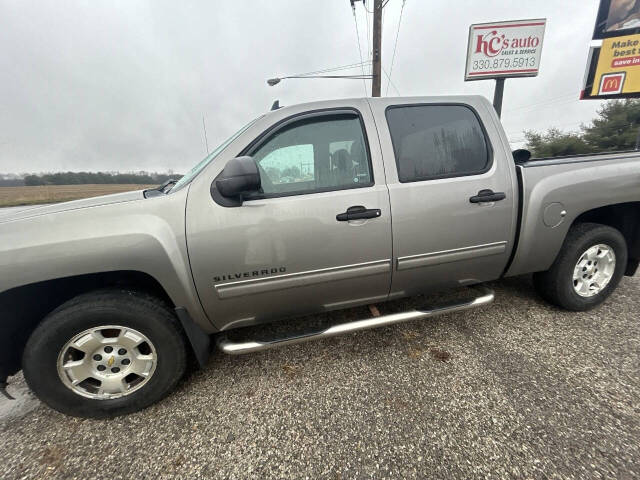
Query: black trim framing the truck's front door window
{"x": 270, "y": 132}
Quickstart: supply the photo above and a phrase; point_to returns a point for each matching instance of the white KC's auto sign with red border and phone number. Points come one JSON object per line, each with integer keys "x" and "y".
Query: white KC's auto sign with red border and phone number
{"x": 505, "y": 49}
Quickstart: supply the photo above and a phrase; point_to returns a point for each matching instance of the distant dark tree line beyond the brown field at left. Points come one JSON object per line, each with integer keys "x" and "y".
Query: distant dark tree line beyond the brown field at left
{"x": 83, "y": 178}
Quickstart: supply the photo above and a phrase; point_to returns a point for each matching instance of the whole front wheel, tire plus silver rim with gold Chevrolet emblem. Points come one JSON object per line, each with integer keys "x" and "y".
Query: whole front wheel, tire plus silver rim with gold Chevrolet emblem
{"x": 105, "y": 354}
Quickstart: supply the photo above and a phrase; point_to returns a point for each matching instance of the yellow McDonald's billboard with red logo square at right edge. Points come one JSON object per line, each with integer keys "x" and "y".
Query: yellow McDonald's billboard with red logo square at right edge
{"x": 618, "y": 67}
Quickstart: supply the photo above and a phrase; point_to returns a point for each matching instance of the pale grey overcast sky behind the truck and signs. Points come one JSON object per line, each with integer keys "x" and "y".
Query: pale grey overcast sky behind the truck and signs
{"x": 123, "y": 85}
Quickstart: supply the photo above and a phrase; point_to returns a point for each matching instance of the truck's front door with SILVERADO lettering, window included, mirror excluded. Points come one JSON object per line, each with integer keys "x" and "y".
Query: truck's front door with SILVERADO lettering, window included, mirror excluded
{"x": 317, "y": 238}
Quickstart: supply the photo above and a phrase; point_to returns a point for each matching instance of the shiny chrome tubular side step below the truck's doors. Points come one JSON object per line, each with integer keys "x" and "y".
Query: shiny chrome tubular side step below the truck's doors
{"x": 484, "y": 297}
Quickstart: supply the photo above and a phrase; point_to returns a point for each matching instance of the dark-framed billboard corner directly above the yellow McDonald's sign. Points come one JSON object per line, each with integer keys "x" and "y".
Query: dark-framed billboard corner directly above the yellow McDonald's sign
{"x": 616, "y": 18}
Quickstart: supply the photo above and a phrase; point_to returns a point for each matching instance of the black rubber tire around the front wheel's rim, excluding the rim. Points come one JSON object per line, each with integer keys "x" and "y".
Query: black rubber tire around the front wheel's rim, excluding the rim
{"x": 144, "y": 313}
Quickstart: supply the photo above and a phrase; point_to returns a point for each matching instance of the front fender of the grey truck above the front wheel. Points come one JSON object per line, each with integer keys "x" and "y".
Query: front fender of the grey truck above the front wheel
{"x": 146, "y": 235}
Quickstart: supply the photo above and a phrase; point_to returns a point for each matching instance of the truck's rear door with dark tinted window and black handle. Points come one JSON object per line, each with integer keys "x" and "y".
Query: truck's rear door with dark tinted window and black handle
{"x": 452, "y": 194}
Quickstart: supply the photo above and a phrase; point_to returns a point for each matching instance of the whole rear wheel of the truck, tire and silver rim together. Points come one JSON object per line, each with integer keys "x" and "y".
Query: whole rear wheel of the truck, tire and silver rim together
{"x": 587, "y": 270}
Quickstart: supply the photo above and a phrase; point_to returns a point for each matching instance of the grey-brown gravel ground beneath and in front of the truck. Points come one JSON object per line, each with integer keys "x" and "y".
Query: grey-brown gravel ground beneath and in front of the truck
{"x": 515, "y": 390}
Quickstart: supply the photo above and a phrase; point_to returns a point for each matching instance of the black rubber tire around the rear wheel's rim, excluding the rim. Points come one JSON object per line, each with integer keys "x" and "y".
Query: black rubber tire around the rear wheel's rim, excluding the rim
{"x": 556, "y": 284}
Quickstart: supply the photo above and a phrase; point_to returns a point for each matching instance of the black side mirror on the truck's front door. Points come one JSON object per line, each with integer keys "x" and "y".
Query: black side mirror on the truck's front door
{"x": 240, "y": 175}
